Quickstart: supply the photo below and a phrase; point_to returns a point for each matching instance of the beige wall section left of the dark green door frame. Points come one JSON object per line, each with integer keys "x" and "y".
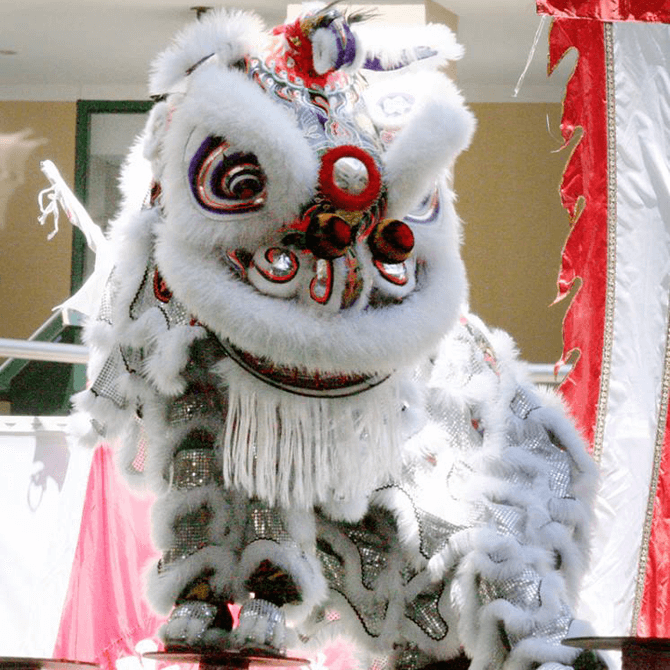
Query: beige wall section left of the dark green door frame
{"x": 34, "y": 272}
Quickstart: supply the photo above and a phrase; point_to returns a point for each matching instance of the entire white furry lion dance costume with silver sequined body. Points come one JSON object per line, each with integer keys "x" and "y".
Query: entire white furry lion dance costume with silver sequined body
{"x": 282, "y": 349}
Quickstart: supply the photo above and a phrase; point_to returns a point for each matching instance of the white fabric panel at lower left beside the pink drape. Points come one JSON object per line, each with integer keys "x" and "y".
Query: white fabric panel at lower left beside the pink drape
{"x": 42, "y": 489}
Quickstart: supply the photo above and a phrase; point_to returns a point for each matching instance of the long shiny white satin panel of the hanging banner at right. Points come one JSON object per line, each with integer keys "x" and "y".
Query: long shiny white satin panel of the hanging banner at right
{"x": 642, "y": 82}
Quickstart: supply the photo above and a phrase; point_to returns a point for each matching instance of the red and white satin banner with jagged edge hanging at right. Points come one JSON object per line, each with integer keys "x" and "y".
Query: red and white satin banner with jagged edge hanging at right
{"x": 616, "y": 188}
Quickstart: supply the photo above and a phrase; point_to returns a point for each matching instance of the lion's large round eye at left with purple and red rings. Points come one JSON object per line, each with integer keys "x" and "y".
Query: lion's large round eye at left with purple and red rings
{"x": 225, "y": 181}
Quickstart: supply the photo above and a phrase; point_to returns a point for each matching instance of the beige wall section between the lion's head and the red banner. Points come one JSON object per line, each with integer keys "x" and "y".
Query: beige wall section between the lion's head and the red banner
{"x": 514, "y": 226}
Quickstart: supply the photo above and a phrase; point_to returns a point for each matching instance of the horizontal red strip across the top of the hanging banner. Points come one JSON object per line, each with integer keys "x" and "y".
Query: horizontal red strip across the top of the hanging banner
{"x": 607, "y": 10}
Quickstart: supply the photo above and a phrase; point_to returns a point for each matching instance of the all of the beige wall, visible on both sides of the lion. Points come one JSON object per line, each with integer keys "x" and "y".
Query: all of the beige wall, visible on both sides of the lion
{"x": 507, "y": 184}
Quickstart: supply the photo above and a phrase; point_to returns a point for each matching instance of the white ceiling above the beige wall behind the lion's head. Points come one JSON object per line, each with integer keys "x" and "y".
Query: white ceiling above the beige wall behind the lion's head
{"x": 101, "y": 49}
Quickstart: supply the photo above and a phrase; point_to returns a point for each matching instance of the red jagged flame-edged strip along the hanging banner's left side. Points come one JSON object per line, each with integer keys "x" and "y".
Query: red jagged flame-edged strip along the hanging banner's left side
{"x": 584, "y": 195}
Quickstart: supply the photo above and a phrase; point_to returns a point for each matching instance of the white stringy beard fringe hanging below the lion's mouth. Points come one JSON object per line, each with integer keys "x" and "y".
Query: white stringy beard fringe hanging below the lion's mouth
{"x": 296, "y": 451}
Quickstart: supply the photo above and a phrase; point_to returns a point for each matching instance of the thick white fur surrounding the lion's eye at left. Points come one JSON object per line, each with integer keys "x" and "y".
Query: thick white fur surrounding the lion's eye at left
{"x": 226, "y": 104}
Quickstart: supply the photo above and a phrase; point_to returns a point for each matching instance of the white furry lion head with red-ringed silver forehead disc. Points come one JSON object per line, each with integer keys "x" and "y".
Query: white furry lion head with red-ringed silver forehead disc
{"x": 306, "y": 217}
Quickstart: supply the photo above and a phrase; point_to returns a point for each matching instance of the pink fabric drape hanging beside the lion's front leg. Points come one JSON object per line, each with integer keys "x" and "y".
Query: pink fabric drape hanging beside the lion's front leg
{"x": 105, "y": 615}
